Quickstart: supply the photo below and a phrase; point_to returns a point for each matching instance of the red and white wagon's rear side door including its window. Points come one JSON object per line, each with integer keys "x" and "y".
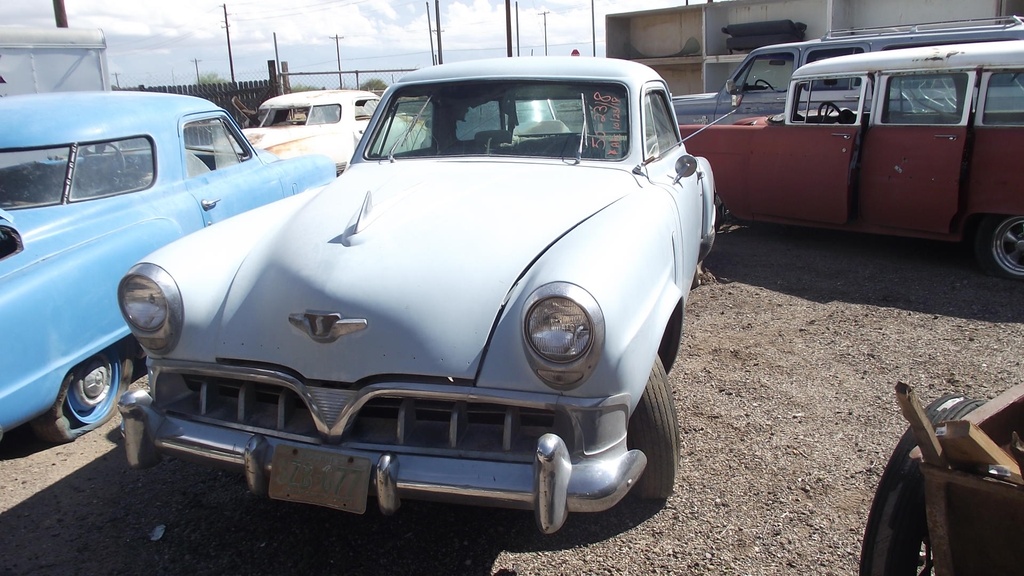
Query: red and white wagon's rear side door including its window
{"x": 914, "y": 151}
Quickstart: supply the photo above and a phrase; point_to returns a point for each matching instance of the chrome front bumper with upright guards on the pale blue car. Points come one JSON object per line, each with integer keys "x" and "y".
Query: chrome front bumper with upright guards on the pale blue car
{"x": 552, "y": 486}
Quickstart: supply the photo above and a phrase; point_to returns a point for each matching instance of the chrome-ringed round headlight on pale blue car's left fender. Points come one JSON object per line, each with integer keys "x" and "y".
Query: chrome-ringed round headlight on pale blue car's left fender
{"x": 151, "y": 304}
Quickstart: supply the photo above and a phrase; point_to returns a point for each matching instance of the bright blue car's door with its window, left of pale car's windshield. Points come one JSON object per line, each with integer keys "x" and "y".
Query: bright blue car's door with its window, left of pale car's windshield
{"x": 223, "y": 172}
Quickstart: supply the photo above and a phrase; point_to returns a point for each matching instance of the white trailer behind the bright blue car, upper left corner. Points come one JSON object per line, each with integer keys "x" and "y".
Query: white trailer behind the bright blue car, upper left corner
{"x": 53, "y": 60}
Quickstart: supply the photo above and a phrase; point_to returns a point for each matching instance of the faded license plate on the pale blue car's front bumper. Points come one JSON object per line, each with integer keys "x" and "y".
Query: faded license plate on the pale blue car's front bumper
{"x": 317, "y": 477}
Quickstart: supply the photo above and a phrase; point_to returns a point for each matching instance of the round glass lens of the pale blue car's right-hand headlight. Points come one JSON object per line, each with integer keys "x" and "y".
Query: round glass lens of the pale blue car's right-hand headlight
{"x": 560, "y": 330}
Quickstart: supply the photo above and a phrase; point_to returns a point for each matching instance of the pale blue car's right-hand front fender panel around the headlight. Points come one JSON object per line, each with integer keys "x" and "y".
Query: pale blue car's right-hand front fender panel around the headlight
{"x": 637, "y": 299}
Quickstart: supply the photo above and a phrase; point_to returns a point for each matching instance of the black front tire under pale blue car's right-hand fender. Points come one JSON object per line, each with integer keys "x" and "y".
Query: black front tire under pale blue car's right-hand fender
{"x": 654, "y": 430}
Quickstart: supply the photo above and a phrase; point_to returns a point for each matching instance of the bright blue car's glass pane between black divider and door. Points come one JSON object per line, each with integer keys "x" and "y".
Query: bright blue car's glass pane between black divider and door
{"x": 112, "y": 168}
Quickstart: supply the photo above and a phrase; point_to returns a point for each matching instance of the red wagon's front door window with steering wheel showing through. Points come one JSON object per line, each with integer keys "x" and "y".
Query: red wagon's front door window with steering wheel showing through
{"x": 820, "y": 102}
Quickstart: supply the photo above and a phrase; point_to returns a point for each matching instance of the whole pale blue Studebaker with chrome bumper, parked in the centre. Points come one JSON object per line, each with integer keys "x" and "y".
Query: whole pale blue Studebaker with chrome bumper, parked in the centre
{"x": 481, "y": 310}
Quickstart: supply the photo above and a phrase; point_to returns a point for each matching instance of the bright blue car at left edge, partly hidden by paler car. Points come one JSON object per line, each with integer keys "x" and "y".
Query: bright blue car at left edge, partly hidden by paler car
{"x": 91, "y": 183}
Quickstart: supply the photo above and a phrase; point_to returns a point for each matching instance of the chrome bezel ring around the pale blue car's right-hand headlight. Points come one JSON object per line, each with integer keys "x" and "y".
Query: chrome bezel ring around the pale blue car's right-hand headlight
{"x": 564, "y": 374}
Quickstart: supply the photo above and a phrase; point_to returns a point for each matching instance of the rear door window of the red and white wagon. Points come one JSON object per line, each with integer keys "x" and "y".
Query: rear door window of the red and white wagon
{"x": 925, "y": 99}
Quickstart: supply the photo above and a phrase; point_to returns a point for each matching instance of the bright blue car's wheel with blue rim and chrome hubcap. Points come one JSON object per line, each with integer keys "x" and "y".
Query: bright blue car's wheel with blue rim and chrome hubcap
{"x": 88, "y": 398}
